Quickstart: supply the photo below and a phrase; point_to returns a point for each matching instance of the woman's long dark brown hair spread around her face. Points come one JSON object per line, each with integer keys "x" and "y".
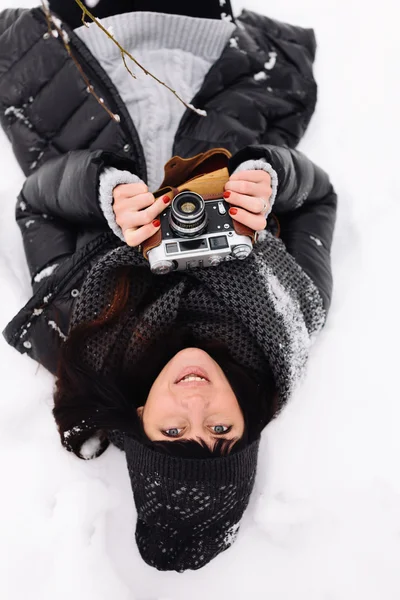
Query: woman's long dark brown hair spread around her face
{"x": 87, "y": 403}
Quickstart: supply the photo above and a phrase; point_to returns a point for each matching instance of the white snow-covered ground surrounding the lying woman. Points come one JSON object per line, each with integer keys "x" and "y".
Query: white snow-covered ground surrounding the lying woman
{"x": 324, "y": 521}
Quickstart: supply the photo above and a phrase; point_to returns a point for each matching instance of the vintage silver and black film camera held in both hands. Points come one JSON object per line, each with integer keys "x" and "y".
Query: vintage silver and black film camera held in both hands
{"x": 196, "y": 232}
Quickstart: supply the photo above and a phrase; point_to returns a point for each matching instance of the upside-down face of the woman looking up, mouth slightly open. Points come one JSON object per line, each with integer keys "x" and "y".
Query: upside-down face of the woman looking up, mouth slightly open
{"x": 179, "y": 407}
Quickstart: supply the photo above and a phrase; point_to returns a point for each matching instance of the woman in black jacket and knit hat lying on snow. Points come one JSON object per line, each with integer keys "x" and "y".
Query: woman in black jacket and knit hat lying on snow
{"x": 121, "y": 339}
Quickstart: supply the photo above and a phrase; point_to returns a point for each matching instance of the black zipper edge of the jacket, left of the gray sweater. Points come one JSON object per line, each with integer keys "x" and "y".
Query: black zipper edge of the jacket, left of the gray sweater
{"x": 100, "y": 80}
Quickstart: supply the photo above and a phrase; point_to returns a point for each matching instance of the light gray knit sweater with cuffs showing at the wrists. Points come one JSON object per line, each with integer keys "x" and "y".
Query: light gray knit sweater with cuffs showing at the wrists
{"x": 179, "y": 50}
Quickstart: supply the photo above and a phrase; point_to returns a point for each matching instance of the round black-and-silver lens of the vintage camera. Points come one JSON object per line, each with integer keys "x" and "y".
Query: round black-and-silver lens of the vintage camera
{"x": 188, "y": 217}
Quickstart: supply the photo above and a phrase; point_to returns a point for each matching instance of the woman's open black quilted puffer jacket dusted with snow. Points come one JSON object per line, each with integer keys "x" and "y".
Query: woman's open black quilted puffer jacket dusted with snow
{"x": 62, "y": 139}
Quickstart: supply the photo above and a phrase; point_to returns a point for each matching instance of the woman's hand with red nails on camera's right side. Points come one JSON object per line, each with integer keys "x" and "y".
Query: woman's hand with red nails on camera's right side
{"x": 249, "y": 193}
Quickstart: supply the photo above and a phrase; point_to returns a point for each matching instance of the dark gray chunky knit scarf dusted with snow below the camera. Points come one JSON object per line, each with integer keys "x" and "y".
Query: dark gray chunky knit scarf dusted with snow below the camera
{"x": 265, "y": 308}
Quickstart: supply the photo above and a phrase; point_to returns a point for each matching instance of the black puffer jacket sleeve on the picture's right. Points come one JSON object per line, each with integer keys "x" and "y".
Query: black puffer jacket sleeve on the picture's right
{"x": 306, "y": 208}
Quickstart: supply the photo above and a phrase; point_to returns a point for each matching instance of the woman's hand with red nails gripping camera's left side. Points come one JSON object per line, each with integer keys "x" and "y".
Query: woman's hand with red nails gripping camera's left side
{"x": 136, "y": 211}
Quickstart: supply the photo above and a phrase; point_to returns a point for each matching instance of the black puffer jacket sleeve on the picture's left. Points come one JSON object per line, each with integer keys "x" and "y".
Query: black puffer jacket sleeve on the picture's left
{"x": 59, "y": 202}
